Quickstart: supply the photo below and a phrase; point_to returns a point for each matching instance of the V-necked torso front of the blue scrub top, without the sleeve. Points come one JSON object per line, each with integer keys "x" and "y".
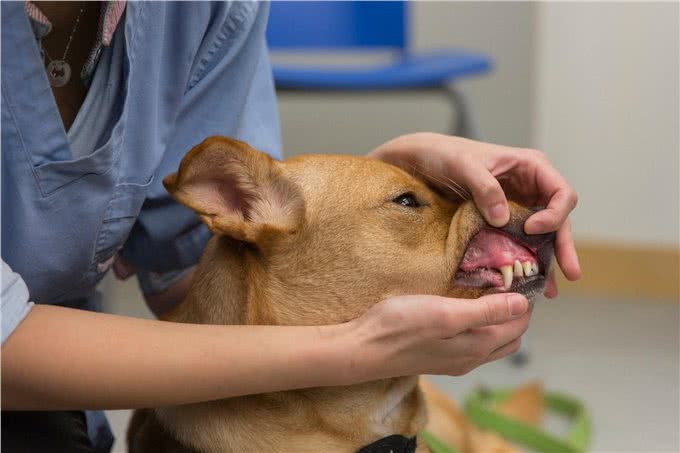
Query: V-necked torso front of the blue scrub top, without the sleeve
{"x": 69, "y": 201}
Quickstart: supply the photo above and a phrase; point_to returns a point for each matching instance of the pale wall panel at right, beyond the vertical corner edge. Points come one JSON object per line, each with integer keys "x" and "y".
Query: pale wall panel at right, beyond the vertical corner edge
{"x": 606, "y": 111}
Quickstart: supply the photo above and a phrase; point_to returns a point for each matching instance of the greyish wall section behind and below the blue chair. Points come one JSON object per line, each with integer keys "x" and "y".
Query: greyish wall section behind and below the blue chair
{"x": 501, "y": 100}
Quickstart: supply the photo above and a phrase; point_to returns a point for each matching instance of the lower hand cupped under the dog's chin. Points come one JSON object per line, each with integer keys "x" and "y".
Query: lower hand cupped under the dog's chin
{"x": 410, "y": 335}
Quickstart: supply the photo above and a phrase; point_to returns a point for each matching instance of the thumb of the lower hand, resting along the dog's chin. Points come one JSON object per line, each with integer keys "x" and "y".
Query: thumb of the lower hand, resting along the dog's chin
{"x": 490, "y": 310}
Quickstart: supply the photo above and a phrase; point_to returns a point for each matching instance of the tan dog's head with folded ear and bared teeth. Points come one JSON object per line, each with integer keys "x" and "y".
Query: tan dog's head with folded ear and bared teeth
{"x": 325, "y": 237}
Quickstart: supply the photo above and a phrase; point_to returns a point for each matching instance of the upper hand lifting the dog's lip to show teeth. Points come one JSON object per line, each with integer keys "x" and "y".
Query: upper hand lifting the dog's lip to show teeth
{"x": 492, "y": 172}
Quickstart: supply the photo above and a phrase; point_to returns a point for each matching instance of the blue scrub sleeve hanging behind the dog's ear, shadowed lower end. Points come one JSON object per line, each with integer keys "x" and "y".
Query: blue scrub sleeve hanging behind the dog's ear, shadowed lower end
{"x": 230, "y": 92}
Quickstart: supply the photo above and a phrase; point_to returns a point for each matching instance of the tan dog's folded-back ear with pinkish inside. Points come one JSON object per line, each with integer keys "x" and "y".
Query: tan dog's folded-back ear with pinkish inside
{"x": 236, "y": 190}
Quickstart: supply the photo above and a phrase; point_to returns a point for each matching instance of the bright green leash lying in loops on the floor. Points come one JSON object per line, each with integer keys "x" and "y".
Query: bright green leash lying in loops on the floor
{"x": 479, "y": 409}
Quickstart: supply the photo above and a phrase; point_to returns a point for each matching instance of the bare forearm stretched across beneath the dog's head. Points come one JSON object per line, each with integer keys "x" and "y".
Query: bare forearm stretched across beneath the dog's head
{"x": 60, "y": 358}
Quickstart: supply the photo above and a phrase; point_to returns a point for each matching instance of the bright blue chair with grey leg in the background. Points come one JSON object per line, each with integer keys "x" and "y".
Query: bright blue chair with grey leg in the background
{"x": 366, "y": 25}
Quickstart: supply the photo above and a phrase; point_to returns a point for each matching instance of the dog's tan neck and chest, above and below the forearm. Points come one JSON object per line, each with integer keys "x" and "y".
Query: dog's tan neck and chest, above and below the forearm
{"x": 342, "y": 417}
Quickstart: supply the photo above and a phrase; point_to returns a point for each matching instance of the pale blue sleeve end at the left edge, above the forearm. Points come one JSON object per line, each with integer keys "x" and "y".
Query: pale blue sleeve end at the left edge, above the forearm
{"x": 14, "y": 297}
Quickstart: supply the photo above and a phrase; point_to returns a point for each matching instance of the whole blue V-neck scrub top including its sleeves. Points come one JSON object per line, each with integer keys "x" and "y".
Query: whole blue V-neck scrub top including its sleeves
{"x": 174, "y": 74}
